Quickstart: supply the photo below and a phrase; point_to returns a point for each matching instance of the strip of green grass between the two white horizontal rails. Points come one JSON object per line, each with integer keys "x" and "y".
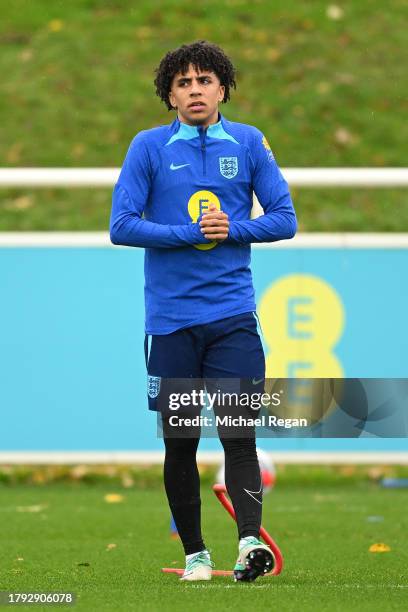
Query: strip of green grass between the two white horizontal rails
{"x": 318, "y": 210}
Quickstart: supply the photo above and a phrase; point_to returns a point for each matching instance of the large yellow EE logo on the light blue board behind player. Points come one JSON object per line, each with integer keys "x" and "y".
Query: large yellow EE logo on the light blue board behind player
{"x": 303, "y": 318}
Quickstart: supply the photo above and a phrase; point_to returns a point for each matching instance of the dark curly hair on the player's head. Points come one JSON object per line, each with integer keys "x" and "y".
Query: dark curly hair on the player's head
{"x": 203, "y": 55}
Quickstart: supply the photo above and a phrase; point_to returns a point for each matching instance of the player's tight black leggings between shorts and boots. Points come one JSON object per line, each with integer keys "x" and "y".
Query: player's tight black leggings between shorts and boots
{"x": 182, "y": 484}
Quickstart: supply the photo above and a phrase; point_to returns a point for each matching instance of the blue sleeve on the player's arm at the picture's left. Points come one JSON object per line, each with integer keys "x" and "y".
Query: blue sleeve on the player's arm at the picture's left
{"x": 130, "y": 195}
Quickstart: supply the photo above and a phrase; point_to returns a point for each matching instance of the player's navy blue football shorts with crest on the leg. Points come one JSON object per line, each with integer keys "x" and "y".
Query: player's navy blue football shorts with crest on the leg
{"x": 225, "y": 350}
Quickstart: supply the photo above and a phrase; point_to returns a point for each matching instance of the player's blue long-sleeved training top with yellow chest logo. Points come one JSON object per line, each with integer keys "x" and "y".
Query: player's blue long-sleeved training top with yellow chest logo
{"x": 170, "y": 176}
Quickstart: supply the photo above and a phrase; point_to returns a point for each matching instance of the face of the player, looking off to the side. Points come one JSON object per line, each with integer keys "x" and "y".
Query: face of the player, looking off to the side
{"x": 196, "y": 96}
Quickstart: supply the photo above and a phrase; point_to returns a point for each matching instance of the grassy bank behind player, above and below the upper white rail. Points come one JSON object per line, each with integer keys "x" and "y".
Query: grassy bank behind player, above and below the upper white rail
{"x": 77, "y": 85}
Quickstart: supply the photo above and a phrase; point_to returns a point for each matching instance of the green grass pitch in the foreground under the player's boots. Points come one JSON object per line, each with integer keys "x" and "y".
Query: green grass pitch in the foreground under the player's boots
{"x": 321, "y": 522}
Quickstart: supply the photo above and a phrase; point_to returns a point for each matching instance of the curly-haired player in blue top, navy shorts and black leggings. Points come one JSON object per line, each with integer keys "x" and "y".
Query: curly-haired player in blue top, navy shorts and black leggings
{"x": 185, "y": 195}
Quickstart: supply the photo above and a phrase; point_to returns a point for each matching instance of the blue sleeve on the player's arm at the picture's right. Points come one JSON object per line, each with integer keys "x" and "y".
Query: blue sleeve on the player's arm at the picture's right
{"x": 279, "y": 221}
